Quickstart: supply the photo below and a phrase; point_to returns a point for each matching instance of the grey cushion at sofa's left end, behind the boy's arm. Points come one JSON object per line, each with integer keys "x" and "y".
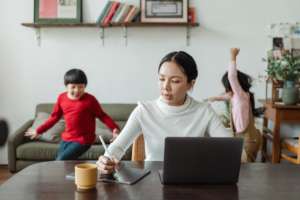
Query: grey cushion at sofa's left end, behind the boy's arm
{"x": 51, "y": 135}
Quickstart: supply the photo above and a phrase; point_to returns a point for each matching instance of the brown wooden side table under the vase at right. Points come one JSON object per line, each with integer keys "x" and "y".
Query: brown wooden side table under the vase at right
{"x": 278, "y": 114}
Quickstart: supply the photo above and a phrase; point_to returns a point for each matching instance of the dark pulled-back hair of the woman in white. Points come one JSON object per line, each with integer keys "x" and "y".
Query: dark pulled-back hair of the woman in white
{"x": 185, "y": 61}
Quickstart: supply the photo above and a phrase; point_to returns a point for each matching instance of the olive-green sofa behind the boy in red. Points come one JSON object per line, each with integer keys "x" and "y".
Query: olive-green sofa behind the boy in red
{"x": 23, "y": 152}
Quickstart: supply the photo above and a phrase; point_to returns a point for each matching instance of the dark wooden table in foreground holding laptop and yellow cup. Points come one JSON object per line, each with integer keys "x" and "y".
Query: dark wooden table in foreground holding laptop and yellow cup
{"x": 257, "y": 181}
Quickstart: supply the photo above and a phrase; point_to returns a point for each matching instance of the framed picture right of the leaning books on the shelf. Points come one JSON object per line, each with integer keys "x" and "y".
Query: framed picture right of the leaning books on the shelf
{"x": 170, "y": 11}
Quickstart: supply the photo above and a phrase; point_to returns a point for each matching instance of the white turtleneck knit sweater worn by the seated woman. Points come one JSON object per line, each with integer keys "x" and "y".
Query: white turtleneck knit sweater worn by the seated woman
{"x": 157, "y": 120}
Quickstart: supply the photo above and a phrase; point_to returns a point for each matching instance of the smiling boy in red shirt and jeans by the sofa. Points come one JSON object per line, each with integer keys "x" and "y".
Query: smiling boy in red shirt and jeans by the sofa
{"x": 79, "y": 110}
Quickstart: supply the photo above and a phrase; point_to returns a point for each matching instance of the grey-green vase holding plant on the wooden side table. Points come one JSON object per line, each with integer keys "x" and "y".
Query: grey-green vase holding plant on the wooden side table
{"x": 290, "y": 93}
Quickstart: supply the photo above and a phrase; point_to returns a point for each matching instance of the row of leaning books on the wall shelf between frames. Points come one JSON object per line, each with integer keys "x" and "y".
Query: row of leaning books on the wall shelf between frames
{"x": 115, "y": 12}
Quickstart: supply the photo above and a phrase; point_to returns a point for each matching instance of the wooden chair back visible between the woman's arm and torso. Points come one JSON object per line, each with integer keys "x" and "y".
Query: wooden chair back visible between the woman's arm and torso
{"x": 138, "y": 149}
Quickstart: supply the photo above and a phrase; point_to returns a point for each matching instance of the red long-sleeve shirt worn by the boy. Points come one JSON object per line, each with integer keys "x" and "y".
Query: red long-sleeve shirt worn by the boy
{"x": 80, "y": 118}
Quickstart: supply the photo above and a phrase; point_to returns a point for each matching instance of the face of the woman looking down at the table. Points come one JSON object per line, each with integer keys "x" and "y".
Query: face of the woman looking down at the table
{"x": 173, "y": 84}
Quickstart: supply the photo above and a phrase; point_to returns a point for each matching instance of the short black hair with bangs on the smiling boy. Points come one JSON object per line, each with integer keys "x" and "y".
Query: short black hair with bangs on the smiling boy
{"x": 75, "y": 76}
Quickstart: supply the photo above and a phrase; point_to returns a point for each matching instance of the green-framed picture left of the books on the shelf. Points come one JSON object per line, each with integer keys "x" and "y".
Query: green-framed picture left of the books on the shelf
{"x": 57, "y": 11}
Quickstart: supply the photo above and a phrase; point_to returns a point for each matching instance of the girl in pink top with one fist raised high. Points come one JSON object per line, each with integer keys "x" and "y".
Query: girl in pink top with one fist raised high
{"x": 241, "y": 106}
